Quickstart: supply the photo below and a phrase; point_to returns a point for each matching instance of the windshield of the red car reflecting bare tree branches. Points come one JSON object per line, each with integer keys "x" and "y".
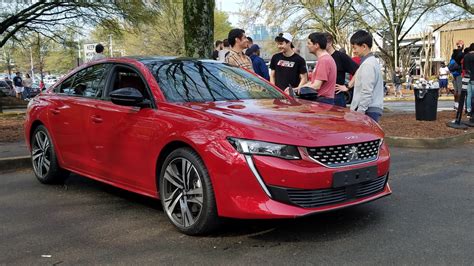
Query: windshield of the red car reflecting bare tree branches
{"x": 198, "y": 81}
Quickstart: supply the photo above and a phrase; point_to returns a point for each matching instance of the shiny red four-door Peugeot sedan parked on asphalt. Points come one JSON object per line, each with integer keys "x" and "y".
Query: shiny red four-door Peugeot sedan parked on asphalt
{"x": 210, "y": 140}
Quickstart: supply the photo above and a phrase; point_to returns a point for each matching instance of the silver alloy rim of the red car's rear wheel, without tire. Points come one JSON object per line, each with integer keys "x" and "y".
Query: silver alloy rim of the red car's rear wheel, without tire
{"x": 41, "y": 154}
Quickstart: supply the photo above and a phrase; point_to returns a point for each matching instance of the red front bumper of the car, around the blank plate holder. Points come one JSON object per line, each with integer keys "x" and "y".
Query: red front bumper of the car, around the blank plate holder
{"x": 276, "y": 188}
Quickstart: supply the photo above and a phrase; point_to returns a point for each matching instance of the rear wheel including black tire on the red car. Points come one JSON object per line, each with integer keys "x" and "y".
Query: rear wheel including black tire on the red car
{"x": 43, "y": 158}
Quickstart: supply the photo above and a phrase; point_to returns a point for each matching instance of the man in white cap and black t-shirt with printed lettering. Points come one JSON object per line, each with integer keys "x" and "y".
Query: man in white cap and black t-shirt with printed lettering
{"x": 287, "y": 67}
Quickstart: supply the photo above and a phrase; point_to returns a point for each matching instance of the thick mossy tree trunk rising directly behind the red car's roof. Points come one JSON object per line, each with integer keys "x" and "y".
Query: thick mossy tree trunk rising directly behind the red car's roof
{"x": 198, "y": 27}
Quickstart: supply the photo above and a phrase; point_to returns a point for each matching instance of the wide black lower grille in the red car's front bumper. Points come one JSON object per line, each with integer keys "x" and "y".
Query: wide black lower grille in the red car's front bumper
{"x": 320, "y": 197}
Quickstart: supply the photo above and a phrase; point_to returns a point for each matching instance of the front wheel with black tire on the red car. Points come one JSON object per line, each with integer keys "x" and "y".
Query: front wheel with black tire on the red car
{"x": 188, "y": 202}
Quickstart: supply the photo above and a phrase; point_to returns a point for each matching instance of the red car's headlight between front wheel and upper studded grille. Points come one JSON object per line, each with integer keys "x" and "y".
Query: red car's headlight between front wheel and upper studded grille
{"x": 265, "y": 148}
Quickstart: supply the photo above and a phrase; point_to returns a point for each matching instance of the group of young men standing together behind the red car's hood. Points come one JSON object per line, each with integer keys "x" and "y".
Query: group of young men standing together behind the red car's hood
{"x": 288, "y": 69}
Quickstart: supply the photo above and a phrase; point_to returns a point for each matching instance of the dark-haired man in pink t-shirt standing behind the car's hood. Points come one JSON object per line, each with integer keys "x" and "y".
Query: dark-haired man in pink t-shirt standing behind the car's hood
{"x": 325, "y": 73}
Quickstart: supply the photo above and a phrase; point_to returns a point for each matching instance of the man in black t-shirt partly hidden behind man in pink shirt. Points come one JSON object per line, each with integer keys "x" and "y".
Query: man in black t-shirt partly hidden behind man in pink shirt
{"x": 344, "y": 65}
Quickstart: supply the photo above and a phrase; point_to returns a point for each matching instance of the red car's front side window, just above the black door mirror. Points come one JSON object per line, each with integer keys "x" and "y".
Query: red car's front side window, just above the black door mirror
{"x": 125, "y": 77}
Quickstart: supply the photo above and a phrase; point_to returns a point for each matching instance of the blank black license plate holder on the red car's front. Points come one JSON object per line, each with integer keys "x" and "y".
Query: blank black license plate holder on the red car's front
{"x": 354, "y": 176}
